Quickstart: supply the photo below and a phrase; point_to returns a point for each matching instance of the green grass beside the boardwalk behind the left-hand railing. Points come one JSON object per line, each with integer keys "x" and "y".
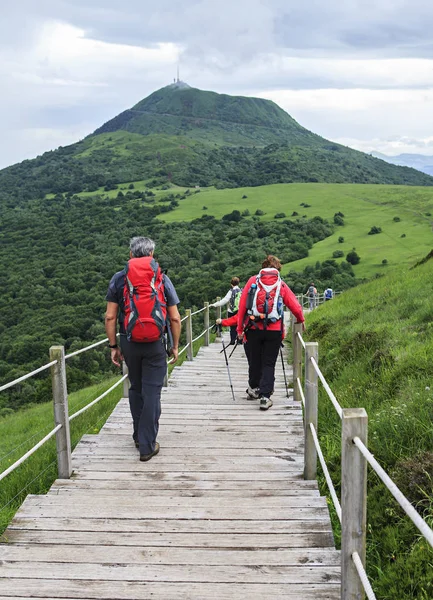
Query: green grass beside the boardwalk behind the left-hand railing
{"x": 22, "y": 430}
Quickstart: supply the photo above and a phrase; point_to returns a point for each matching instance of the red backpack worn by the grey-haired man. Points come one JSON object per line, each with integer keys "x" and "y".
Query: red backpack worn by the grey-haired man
{"x": 145, "y": 309}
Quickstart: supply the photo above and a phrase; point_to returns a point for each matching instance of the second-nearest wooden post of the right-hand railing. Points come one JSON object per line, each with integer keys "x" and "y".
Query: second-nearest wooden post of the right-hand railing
{"x": 311, "y": 407}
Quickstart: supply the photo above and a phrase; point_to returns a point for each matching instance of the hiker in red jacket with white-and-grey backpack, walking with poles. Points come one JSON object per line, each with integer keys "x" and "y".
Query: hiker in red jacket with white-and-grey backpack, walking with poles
{"x": 261, "y": 307}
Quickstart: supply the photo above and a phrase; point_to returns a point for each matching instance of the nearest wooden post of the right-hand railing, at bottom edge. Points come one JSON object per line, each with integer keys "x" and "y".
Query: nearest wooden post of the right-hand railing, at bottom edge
{"x": 353, "y": 501}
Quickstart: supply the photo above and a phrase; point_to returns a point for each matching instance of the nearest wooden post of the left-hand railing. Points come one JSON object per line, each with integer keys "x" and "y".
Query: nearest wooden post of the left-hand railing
{"x": 61, "y": 412}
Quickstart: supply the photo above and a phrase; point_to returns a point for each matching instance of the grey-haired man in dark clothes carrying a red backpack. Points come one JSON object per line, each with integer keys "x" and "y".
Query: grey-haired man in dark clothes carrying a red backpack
{"x": 144, "y": 301}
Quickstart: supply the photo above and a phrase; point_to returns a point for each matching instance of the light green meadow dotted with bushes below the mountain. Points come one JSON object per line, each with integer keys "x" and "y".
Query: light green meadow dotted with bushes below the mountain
{"x": 363, "y": 207}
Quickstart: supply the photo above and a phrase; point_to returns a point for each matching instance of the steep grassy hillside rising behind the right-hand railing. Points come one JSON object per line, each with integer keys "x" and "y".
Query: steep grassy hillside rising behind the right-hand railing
{"x": 375, "y": 348}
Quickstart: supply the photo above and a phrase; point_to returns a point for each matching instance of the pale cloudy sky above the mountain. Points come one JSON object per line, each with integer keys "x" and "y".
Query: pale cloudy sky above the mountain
{"x": 359, "y": 72}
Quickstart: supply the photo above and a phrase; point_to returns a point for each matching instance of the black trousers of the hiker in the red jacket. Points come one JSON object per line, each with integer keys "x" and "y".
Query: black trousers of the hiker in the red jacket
{"x": 263, "y": 349}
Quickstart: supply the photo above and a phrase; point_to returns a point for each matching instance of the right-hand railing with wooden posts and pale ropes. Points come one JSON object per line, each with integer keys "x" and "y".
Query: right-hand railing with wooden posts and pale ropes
{"x": 352, "y": 512}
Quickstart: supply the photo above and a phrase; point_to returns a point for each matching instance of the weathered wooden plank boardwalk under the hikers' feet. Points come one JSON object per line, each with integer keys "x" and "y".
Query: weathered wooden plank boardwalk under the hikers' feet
{"x": 222, "y": 512}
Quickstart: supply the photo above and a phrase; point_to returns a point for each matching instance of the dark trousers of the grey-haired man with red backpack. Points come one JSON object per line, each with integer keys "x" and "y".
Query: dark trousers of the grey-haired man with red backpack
{"x": 147, "y": 366}
